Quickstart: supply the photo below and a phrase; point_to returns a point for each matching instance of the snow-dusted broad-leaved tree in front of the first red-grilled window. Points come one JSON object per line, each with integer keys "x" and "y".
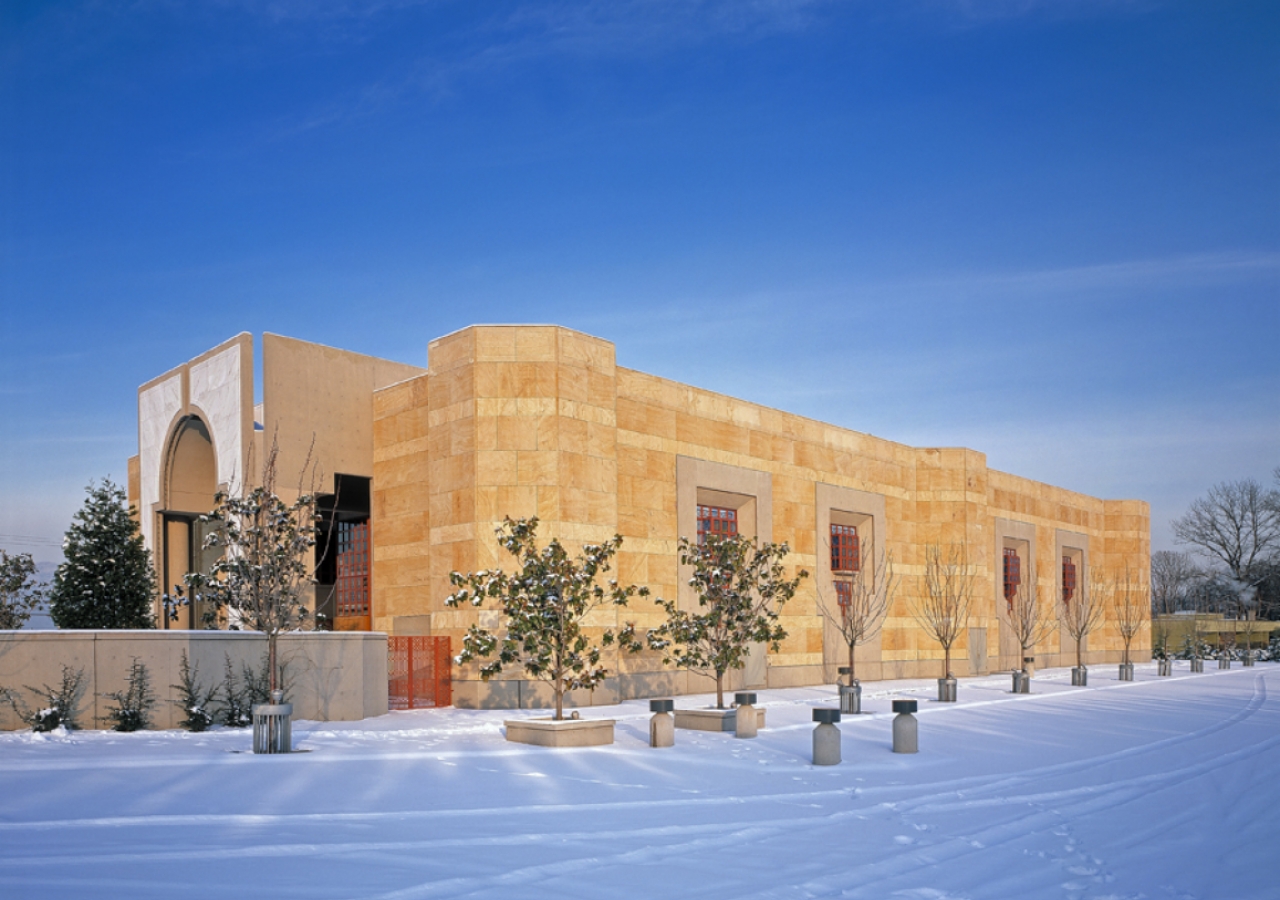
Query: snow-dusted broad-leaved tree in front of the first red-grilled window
{"x": 742, "y": 590}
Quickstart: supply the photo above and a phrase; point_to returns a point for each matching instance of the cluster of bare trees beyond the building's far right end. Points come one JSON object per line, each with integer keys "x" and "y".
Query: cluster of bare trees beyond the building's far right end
{"x": 1233, "y": 564}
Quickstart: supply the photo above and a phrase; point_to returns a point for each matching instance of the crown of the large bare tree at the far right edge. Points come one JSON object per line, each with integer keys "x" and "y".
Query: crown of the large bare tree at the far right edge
{"x": 1237, "y": 524}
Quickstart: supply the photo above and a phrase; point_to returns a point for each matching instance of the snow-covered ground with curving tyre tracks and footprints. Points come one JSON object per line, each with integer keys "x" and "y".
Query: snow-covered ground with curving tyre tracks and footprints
{"x": 1164, "y": 788}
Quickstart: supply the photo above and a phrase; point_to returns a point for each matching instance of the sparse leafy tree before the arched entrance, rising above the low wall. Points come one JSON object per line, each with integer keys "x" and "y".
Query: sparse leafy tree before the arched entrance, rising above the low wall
{"x": 264, "y": 575}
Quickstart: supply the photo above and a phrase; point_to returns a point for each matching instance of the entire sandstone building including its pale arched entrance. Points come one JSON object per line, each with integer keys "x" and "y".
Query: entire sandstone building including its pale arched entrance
{"x": 420, "y": 465}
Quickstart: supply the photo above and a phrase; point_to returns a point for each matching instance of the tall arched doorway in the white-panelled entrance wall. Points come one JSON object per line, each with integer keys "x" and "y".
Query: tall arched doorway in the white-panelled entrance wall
{"x": 189, "y": 487}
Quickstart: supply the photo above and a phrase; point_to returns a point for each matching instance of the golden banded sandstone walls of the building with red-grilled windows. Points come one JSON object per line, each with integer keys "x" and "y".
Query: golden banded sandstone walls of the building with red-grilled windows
{"x": 541, "y": 421}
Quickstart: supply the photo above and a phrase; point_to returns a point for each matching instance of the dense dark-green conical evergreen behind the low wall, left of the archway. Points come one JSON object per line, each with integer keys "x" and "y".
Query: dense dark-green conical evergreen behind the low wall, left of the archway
{"x": 106, "y": 581}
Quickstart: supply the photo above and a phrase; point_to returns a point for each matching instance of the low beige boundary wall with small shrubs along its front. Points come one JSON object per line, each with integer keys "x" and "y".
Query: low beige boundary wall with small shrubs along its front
{"x": 332, "y": 677}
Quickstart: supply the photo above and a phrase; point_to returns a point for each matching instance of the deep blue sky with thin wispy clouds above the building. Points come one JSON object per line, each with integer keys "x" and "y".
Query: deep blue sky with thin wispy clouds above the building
{"x": 1046, "y": 231}
